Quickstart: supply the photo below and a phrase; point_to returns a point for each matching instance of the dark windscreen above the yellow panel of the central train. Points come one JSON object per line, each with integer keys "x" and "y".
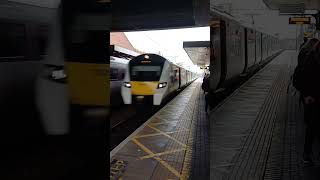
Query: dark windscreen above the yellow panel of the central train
{"x": 145, "y": 73}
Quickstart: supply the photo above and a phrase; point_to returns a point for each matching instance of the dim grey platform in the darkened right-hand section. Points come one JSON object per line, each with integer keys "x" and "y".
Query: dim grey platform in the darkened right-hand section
{"x": 258, "y": 131}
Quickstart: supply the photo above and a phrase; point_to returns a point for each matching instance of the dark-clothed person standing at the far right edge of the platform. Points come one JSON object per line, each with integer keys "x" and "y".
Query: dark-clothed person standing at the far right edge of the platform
{"x": 306, "y": 79}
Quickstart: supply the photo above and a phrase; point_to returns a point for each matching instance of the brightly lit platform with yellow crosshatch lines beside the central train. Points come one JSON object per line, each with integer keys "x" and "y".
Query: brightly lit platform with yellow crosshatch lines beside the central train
{"x": 172, "y": 144}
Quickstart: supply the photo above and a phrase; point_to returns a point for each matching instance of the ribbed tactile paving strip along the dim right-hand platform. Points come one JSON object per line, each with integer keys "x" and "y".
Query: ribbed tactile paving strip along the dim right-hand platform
{"x": 250, "y": 163}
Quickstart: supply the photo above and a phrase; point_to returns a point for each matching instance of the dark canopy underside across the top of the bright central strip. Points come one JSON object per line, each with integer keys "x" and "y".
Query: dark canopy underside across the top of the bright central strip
{"x": 137, "y": 15}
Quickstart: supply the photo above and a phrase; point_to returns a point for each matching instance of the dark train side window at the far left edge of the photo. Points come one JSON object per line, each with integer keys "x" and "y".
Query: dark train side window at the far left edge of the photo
{"x": 12, "y": 41}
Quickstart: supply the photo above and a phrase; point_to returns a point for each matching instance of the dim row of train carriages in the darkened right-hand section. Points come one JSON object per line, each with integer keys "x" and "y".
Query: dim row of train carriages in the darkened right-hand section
{"x": 237, "y": 50}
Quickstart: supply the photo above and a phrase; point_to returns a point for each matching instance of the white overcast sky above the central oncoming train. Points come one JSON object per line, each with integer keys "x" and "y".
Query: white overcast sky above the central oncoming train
{"x": 168, "y": 42}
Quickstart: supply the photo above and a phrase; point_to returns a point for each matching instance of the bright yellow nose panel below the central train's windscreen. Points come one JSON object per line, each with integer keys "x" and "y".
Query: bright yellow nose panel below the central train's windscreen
{"x": 143, "y": 88}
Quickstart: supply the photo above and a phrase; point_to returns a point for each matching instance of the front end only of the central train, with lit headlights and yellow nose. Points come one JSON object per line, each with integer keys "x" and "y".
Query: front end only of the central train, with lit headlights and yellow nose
{"x": 145, "y": 81}
